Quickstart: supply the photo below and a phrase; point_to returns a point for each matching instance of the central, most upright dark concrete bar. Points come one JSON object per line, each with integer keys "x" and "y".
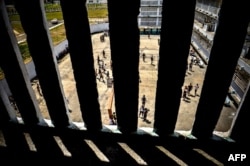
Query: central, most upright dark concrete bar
{"x": 125, "y": 61}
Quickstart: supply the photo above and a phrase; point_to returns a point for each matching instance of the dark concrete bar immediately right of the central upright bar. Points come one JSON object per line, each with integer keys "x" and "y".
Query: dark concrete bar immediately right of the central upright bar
{"x": 174, "y": 51}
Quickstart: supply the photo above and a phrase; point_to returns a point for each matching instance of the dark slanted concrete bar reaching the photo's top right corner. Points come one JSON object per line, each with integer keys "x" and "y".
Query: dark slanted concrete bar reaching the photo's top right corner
{"x": 223, "y": 59}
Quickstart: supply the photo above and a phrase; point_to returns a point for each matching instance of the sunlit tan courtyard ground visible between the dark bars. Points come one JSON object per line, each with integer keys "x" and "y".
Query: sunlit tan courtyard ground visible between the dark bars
{"x": 148, "y": 75}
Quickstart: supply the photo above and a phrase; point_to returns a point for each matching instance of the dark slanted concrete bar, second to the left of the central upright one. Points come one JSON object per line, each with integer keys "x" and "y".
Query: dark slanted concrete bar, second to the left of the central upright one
{"x": 34, "y": 22}
